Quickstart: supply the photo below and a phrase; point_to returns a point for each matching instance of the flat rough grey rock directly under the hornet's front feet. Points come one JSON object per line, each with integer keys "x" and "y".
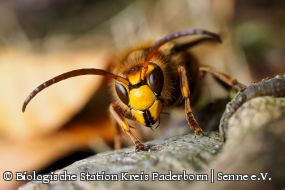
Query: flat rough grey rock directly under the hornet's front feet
{"x": 179, "y": 153}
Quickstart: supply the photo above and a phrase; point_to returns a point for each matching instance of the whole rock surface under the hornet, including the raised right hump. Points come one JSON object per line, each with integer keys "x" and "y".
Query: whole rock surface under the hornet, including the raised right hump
{"x": 255, "y": 144}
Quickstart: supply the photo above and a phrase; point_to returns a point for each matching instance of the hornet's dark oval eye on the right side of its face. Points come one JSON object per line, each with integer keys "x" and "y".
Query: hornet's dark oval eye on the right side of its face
{"x": 155, "y": 80}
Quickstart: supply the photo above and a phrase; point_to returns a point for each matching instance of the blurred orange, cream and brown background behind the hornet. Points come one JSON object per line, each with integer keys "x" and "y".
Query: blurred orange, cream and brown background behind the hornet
{"x": 70, "y": 121}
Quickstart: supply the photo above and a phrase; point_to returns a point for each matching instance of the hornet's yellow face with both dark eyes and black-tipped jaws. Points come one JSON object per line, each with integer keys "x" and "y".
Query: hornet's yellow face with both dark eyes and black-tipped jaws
{"x": 143, "y": 95}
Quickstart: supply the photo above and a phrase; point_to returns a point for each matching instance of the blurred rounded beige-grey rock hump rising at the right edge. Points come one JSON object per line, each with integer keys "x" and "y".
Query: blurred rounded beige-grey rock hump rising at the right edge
{"x": 255, "y": 144}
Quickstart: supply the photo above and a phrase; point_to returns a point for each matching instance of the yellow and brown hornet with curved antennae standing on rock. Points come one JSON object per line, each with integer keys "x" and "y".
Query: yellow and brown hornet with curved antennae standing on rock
{"x": 150, "y": 78}
